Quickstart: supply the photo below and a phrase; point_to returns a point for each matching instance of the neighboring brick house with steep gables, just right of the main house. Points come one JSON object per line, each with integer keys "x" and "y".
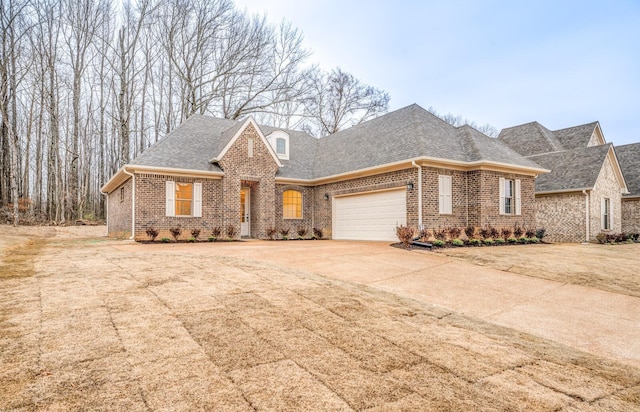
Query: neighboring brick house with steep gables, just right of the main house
{"x": 581, "y": 197}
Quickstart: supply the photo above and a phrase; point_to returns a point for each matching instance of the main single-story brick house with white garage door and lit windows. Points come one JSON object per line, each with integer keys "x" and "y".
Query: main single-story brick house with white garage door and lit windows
{"x": 406, "y": 167}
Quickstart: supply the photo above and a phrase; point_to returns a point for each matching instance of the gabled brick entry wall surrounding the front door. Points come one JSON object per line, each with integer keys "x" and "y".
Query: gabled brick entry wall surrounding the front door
{"x": 257, "y": 172}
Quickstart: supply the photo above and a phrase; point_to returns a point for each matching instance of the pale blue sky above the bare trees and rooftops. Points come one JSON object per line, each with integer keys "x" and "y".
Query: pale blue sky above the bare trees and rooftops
{"x": 561, "y": 63}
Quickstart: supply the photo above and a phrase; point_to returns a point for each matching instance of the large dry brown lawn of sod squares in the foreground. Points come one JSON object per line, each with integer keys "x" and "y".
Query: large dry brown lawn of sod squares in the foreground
{"x": 88, "y": 325}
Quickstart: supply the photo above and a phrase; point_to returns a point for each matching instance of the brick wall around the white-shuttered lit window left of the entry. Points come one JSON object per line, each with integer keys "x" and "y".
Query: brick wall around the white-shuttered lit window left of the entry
{"x": 151, "y": 206}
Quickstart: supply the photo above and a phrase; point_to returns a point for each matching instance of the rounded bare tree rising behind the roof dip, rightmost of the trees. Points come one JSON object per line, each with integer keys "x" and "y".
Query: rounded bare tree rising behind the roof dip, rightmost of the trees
{"x": 338, "y": 100}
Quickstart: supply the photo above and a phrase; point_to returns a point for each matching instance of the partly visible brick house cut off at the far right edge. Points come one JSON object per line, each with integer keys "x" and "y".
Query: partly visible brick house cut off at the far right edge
{"x": 629, "y": 157}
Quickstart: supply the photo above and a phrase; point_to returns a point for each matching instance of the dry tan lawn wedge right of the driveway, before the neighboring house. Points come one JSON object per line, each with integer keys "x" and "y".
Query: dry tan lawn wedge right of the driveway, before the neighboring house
{"x": 614, "y": 268}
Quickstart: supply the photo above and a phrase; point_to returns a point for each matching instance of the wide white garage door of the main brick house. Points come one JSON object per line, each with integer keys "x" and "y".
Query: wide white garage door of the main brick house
{"x": 371, "y": 216}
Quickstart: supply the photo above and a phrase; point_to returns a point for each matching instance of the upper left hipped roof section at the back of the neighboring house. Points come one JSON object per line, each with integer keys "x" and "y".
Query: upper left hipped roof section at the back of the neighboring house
{"x": 530, "y": 139}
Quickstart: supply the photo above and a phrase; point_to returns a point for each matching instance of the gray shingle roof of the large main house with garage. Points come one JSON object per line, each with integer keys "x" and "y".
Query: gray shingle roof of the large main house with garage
{"x": 404, "y": 134}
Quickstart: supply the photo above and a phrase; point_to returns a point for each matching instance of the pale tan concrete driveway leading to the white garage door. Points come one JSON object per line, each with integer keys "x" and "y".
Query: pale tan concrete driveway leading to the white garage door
{"x": 599, "y": 322}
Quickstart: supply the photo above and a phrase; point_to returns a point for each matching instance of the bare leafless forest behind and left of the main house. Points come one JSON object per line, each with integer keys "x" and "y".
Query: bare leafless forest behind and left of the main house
{"x": 87, "y": 85}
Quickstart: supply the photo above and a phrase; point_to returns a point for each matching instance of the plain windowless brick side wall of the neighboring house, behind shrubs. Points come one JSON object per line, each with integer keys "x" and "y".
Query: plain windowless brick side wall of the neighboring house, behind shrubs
{"x": 563, "y": 216}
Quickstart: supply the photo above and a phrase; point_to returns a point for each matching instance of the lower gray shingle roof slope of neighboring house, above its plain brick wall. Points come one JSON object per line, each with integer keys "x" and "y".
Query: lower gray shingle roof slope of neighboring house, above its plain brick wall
{"x": 571, "y": 169}
